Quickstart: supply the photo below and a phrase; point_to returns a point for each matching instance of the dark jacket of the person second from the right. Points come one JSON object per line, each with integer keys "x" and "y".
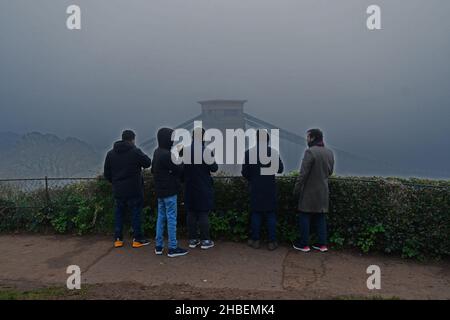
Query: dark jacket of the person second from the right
{"x": 263, "y": 191}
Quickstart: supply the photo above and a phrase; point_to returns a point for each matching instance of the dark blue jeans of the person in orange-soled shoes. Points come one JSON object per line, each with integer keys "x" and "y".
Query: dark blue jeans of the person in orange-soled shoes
{"x": 135, "y": 205}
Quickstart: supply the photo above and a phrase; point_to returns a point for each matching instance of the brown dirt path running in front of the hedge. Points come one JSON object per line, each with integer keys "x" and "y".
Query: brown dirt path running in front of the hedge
{"x": 228, "y": 271}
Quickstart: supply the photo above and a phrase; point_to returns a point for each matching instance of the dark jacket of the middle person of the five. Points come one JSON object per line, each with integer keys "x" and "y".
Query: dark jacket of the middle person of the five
{"x": 199, "y": 193}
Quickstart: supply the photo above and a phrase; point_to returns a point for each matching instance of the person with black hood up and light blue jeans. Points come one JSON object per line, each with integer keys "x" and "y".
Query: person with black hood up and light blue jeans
{"x": 166, "y": 175}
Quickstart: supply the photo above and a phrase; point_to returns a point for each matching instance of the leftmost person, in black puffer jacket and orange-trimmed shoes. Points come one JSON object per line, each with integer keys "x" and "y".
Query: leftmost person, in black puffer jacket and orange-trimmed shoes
{"x": 123, "y": 168}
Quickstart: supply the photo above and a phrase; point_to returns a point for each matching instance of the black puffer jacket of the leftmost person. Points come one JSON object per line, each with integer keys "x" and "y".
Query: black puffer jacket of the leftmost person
{"x": 123, "y": 168}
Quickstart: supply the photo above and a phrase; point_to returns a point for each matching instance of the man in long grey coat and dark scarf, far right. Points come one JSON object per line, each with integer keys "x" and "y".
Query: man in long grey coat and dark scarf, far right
{"x": 312, "y": 189}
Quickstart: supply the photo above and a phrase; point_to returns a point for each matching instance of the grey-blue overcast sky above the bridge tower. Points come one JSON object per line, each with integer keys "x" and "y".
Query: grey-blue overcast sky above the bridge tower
{"x": 300, "y": 64}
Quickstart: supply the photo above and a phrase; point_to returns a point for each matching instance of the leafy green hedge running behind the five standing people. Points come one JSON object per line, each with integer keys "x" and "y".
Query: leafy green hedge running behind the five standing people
{"x": 372, "y": 214}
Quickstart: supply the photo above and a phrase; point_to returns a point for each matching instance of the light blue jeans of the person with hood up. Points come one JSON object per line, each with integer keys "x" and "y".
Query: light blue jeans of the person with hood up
{"x": 167, "y": 213}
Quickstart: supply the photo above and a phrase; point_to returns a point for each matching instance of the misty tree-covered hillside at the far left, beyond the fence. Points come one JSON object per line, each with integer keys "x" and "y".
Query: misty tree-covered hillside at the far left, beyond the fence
{"x": 37, "y": 155}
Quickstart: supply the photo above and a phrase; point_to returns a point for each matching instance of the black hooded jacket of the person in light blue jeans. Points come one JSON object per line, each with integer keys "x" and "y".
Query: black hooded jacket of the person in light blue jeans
{"x": 166, "y": 174}
